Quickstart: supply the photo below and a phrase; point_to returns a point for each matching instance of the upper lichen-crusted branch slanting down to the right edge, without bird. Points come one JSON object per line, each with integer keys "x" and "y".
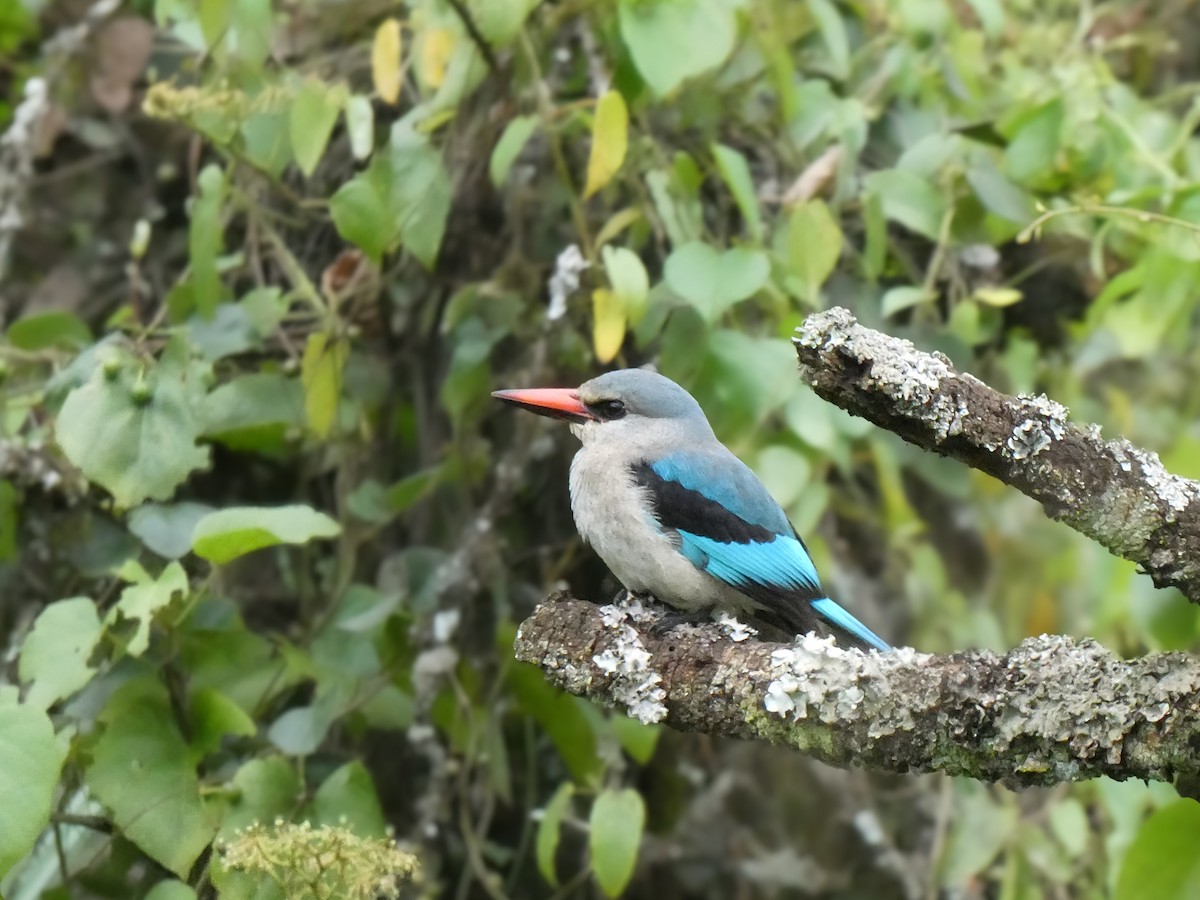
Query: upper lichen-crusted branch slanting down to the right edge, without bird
{"x": 1109, "y": 490}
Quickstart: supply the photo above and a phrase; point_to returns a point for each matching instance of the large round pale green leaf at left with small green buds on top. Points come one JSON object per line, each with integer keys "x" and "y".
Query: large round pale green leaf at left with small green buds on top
{"x": 133, "y": 434}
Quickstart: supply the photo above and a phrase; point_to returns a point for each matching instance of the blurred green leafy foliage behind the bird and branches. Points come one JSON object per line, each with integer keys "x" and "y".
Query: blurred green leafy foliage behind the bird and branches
{"x": 265, "y": 541}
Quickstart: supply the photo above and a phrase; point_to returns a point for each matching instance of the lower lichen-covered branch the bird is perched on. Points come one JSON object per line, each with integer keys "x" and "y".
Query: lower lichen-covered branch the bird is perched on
{"x": 1048, "y": 712}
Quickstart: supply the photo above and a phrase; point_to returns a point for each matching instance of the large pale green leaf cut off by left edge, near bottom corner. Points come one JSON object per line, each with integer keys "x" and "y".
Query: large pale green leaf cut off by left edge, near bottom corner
{"x": 31, "y": 761}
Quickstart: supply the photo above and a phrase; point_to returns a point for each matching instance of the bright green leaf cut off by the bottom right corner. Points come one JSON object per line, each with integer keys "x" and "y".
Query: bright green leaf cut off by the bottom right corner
{"x": 1162, "y": 861}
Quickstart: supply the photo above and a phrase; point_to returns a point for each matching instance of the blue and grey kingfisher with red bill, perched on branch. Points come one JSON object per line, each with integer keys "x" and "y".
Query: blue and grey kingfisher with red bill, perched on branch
{"x": 676, "y": 515}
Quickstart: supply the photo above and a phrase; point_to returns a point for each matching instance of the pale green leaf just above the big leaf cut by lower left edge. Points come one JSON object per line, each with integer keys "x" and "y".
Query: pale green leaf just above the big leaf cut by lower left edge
{"x": 55, "y": 657}
